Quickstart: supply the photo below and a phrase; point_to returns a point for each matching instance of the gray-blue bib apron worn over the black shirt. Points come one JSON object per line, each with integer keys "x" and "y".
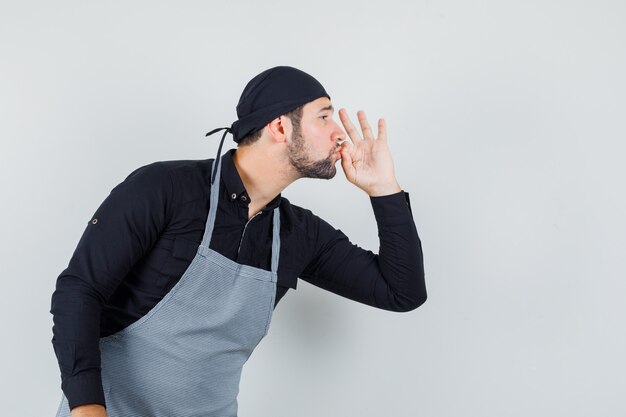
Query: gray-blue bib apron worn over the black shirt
{"x": 184, "y": 357}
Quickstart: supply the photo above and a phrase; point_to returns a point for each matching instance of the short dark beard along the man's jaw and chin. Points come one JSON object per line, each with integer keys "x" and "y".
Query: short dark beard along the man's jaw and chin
{"x": 304, "y": 165}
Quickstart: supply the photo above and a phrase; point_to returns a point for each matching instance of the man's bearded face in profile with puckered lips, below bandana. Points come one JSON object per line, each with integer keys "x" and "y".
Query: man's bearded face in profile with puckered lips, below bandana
{"x": 314, "y": 143}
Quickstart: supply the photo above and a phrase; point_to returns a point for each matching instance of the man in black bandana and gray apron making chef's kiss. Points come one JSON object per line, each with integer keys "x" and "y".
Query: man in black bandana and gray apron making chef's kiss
{"x": 176, "y": 276}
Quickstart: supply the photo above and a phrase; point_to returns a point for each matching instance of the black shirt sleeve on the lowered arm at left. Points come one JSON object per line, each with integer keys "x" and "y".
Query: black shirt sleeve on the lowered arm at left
{"x": 122, "y": 230}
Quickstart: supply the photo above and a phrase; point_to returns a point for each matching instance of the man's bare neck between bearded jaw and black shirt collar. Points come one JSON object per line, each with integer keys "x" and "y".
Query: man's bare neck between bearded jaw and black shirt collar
{"x": 264, "y": 174}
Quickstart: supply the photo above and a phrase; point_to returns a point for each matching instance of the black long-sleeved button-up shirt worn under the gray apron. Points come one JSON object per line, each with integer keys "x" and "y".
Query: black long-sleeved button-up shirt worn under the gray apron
{"x": 144, "y": 235}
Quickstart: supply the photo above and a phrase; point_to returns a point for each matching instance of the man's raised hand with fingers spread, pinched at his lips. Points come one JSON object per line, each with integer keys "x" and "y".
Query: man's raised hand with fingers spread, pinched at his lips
{"x": 366, "y": 160}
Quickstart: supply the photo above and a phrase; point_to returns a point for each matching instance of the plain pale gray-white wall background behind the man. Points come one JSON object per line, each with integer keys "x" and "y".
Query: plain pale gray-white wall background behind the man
{"x": 507, "y": 124}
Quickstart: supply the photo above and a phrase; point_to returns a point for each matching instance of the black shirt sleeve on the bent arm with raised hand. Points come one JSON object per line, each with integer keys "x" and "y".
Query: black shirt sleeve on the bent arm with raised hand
{"x": 391, "y": 280}
